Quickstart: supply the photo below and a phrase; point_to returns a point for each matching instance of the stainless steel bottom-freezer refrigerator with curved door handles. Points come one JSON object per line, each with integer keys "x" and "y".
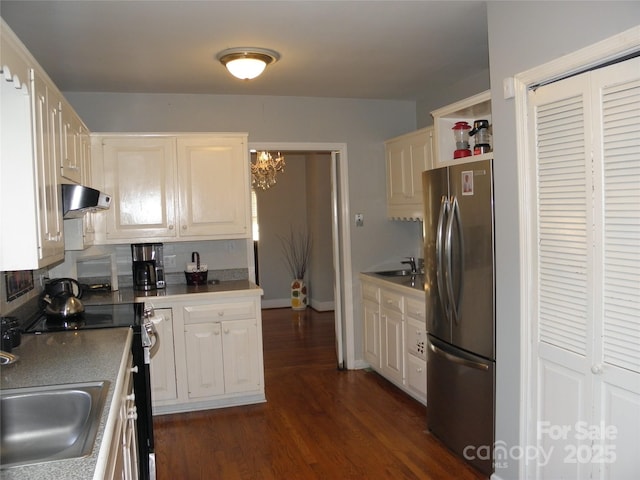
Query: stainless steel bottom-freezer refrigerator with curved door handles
{"x": 460, "y": 291}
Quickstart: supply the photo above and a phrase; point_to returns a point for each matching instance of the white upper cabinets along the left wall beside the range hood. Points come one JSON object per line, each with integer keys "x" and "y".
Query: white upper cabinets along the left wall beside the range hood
{"x": 42, "y": 146}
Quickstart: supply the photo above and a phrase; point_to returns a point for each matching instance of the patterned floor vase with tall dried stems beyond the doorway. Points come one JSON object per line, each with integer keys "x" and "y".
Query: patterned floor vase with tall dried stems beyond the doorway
{"x": 296, "y": 249}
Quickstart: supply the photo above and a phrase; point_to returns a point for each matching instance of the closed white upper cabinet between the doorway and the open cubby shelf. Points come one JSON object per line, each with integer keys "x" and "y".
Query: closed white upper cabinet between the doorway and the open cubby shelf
{"x": 407, "y": 157}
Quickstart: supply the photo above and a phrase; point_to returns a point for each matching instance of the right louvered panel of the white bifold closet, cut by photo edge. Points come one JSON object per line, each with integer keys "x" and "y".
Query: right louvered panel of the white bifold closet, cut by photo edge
{"x": 616, "y": 94}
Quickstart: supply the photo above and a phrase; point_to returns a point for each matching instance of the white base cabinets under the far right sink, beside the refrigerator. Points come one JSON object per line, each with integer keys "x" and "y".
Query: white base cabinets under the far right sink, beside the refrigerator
{"x": 394, "y": 326}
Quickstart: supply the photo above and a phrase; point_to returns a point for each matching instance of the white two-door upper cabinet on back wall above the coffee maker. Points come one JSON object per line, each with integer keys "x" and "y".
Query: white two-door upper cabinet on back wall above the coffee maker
{"x": 172, "y": 188}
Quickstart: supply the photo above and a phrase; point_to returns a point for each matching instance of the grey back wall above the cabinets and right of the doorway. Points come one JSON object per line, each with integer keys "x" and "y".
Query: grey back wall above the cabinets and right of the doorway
{"x": 362, "y": 124}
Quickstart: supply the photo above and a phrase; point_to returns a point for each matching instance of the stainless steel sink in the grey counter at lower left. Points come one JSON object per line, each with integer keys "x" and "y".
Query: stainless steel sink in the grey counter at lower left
{"x": 56, "y": 422}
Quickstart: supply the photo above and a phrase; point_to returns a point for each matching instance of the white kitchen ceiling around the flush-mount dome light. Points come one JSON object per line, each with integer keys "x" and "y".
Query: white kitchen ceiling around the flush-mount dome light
{"x": 351, "y": 49}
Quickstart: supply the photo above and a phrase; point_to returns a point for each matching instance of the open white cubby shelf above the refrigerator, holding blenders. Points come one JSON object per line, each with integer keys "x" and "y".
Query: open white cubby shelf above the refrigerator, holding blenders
{"x": 470, "y": 110}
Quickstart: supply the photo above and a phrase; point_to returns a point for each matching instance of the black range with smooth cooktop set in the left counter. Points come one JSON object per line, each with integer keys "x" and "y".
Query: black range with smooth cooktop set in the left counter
{"x": 145, "y": 340}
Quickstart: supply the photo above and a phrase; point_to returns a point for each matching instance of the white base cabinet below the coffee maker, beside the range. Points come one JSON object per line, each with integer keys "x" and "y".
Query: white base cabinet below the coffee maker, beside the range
{"x": 216, "y": 343}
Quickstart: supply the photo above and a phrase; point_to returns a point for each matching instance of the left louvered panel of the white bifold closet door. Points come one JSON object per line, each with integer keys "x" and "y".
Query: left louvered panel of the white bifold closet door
{"x": 565, "y": 266}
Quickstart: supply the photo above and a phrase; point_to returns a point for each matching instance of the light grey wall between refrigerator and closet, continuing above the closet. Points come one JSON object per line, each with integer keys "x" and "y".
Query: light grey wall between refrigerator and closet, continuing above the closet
{"x": 523, "y": 35}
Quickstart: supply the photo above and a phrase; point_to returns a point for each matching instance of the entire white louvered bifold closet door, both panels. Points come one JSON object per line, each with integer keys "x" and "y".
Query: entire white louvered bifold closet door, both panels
{"x": 586, "y": 352}
